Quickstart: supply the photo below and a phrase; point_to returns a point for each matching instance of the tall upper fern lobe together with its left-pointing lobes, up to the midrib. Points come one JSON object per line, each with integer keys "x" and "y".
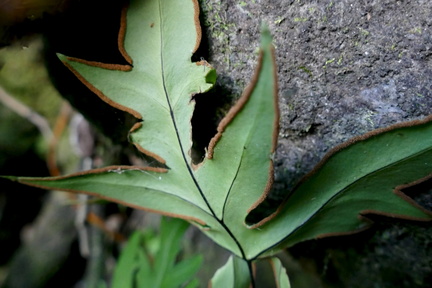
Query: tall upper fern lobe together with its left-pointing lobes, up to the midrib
{"x": 160, "y": 38}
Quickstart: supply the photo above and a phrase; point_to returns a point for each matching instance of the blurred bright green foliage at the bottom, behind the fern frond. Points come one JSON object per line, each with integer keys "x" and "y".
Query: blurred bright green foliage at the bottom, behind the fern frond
{"x": 140, "y": 266}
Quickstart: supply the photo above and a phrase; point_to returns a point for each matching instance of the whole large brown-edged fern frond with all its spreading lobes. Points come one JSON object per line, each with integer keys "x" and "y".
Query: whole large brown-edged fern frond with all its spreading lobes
{"x": 364, "y": 175}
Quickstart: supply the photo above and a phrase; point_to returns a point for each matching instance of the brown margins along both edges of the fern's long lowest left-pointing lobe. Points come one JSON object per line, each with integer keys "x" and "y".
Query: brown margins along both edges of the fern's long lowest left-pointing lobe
{"x": 28, "y": 181}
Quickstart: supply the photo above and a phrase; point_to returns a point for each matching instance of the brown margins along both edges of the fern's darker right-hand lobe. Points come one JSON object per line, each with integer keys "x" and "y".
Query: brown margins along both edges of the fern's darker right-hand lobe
{"x": 398, "y": 190}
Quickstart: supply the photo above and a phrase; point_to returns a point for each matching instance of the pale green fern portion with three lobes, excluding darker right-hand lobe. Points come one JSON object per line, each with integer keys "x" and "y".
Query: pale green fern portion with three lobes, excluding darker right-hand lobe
{"x": 238, "y": 171}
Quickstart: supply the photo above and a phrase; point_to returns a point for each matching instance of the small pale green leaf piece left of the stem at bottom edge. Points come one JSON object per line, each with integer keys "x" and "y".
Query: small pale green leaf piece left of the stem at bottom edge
{"x": 234, "y": 274}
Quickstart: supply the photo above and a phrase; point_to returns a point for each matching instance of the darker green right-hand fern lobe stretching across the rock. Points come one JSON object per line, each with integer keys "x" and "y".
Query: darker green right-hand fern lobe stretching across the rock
{"x": 366, "y": 175}
